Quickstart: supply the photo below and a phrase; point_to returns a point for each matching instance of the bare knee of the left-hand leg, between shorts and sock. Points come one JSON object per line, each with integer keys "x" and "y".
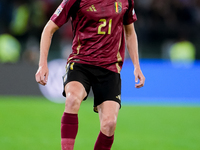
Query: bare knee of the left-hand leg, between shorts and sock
{"x": 72, "y": 103}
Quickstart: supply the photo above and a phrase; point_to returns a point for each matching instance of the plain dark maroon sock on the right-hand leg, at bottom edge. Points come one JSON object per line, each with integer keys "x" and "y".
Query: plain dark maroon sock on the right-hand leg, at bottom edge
{"x": 104, "y": 142}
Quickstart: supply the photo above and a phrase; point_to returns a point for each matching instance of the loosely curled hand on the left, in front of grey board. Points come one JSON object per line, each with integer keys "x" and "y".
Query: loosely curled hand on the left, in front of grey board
{"x": 42, "y": 74}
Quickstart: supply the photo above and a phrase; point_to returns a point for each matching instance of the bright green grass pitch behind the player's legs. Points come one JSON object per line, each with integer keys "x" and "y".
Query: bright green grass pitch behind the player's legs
{"x": 33, "y": 123}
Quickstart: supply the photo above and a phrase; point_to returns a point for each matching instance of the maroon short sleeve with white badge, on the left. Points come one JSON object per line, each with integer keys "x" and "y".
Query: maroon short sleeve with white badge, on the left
{"x": 62, "y": 13}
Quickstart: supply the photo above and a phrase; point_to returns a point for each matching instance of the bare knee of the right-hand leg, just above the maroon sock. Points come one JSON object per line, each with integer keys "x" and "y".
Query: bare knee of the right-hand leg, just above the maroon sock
{"x": 108, "y": 125}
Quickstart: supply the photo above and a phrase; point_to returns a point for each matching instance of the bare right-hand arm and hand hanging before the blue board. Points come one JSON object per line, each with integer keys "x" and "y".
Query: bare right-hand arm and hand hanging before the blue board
{"x": 132, "y": 46}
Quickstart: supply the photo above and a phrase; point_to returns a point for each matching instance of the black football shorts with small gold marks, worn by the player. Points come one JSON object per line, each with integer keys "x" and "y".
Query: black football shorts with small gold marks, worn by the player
{"x": 106, "y": 85}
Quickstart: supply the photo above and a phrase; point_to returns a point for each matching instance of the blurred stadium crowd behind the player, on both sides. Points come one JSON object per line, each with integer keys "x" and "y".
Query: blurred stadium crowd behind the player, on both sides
{"x": 160, "y": 24}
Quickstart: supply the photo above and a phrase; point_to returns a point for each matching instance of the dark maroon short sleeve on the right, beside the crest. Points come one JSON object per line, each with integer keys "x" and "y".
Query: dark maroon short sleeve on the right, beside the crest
{"x": 130, "y": 16}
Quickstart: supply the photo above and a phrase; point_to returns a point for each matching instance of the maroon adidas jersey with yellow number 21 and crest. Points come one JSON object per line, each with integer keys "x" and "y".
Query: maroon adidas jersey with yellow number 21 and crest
{"x": 98, "y": 30}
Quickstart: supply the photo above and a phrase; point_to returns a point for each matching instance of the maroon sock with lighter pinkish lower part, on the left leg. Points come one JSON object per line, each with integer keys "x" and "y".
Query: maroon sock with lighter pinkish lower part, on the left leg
{"x": 69, "y": 129}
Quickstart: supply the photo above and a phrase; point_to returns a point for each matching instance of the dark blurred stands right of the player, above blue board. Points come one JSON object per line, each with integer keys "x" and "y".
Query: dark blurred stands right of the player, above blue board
{"x": 164, "y": 22}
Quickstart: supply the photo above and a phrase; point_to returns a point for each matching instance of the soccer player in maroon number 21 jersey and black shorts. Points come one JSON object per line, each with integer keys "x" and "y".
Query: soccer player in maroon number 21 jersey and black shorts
{"x": 100, "y": 29}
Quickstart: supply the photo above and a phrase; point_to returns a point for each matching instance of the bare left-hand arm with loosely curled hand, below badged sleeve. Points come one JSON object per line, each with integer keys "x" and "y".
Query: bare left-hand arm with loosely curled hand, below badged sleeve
{"x": 42, "y": 73}
